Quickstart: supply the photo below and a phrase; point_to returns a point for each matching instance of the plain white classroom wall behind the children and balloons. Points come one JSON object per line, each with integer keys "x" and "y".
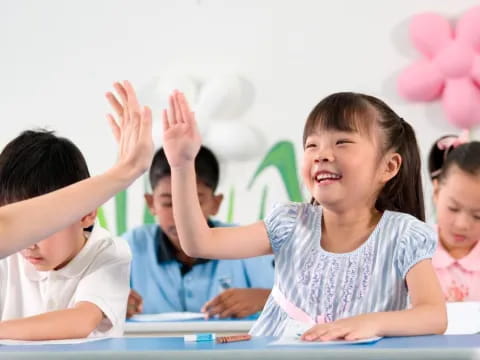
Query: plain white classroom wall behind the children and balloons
{"x": 58, "y": 58}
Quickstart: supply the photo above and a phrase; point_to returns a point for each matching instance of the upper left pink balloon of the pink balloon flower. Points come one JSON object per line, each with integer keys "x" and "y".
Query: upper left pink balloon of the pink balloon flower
{"x": 430, "y": 33}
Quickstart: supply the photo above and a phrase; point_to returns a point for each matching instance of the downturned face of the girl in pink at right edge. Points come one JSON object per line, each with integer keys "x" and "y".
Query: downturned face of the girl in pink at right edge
{"x": 457, "y": 199}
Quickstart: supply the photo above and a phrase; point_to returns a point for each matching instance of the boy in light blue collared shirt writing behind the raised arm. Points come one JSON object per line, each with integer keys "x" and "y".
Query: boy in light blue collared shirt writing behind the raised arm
{"x": 165, "y": 279}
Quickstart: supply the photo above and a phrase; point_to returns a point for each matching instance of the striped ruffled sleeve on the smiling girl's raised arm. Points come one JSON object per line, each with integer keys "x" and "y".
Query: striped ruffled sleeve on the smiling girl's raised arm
{"x": 280, "y": 224}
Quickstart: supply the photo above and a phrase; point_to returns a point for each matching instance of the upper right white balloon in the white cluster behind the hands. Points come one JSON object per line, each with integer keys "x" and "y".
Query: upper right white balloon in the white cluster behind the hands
{"x": 224, "y": 97}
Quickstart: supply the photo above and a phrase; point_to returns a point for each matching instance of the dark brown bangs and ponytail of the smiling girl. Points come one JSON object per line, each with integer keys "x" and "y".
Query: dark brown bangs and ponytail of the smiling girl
{"x": 347, "y": 111}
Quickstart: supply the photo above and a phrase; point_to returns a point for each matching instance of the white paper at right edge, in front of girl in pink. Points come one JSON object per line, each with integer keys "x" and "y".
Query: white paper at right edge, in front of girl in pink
{"x": 463, "y": 318}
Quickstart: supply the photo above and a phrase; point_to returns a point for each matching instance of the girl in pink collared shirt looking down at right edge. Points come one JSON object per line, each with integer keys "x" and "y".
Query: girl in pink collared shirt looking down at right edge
{"x": 455, "y": 170}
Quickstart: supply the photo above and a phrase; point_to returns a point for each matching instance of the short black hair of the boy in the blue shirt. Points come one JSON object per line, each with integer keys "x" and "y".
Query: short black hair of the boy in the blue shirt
{"x": 206, "y": 168}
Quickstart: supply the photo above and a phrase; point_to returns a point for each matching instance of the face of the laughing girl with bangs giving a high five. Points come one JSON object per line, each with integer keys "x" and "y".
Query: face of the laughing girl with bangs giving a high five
{"x": 343, "y": 169}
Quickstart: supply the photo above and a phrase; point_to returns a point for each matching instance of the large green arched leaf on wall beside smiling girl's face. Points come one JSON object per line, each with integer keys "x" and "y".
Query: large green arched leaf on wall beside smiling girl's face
{"x": 282, "y": 157}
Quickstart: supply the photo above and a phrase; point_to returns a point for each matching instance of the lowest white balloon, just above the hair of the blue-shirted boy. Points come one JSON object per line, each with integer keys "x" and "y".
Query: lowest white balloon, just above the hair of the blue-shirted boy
{"x": 234, "y": 141}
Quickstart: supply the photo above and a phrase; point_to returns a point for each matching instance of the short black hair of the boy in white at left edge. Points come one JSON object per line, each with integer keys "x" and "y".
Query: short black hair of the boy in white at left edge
{"x": 36, "y": 163}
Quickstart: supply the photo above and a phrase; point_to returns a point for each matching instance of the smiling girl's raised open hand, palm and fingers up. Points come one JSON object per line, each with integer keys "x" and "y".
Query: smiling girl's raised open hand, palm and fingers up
{"x": 181, "y": 138}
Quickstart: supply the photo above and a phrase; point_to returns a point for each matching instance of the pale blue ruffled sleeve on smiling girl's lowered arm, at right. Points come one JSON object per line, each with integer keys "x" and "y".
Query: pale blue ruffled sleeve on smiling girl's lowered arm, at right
{"x": 418, "y": 243}
